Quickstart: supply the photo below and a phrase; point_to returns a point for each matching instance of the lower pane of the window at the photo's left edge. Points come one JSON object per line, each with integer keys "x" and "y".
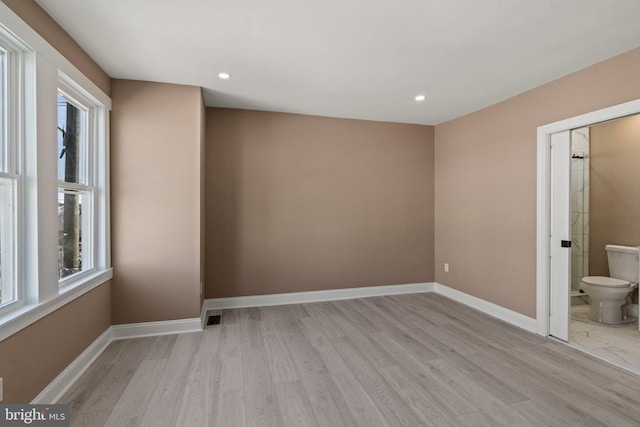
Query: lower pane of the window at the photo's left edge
{"x": 8, "y": 282}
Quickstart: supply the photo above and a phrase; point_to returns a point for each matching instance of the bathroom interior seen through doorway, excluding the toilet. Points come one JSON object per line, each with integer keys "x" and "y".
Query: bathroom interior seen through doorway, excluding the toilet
{"x": 605, "y": 210}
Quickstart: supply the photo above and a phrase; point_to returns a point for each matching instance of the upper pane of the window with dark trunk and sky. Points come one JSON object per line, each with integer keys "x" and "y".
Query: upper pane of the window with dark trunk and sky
{"x": 71, "y": 142}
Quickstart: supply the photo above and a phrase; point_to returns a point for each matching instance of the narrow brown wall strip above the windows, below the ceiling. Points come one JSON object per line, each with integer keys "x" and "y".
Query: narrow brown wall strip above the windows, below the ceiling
{"x": 43, "y": 24}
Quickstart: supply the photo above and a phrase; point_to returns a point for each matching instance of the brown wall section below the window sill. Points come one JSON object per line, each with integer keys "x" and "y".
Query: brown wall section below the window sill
{"x": 33, "y": 357}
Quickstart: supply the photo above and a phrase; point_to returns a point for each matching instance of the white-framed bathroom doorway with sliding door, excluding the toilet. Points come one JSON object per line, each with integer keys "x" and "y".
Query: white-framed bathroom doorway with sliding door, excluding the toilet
{"x": 586, "y": 180}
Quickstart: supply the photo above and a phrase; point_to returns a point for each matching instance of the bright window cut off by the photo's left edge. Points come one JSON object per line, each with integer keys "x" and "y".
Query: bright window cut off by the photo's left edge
{"x": 10, "y": 89}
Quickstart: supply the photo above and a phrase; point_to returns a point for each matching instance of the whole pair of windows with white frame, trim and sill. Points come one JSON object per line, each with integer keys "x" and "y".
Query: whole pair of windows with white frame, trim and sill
{"x": 54, "y": 167}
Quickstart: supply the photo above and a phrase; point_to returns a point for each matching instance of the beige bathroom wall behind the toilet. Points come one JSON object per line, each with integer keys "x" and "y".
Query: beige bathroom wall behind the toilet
{"x": 614, "y": 189}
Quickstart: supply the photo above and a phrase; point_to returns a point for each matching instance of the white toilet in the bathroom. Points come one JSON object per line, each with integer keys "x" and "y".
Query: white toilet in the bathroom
{"x": 611, "y": 296}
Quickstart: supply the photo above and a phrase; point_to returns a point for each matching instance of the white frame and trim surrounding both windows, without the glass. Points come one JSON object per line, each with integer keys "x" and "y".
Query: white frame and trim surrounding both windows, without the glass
{"x": 44, "y": 71}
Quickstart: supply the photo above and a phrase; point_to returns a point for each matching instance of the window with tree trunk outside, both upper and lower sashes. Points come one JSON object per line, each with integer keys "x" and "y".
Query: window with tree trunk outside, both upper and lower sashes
{"x": 76, "y": 187}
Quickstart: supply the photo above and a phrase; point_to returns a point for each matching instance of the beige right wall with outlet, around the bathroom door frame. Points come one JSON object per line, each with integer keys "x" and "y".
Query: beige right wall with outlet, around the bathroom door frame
{"x": 485, "y": 223}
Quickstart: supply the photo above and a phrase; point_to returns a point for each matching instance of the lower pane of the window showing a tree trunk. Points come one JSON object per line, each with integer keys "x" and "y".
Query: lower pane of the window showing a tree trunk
{"x": 74, "y": 236}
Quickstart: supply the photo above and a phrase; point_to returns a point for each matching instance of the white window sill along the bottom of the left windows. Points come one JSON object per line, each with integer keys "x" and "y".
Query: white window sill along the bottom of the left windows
{"x": 20, "y": 318}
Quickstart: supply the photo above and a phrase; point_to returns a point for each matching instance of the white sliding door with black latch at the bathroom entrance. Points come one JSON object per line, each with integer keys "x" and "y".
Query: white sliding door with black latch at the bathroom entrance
{"x": 560, "y": 250}
